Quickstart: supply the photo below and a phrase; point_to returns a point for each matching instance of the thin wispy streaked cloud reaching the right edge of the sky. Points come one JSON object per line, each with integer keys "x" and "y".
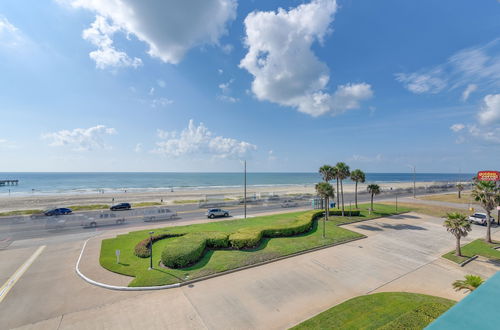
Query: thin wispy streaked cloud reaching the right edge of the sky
{"x": 473, "y": 67}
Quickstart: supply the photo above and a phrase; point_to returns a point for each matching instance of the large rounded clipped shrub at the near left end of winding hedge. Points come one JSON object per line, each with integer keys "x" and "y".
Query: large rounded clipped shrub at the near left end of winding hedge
{"x": 184, "y": 251}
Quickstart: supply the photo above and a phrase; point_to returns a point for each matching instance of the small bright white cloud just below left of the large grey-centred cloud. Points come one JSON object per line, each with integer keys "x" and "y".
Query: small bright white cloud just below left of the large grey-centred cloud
{"x": 99, "y": 34}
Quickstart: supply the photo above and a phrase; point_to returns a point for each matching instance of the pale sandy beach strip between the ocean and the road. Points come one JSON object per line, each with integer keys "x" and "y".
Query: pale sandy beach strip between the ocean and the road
{"x": 11, "y": 203}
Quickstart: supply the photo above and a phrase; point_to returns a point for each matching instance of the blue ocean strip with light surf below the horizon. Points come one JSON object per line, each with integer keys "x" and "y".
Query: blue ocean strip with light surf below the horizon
{"x": 74, "y": 183}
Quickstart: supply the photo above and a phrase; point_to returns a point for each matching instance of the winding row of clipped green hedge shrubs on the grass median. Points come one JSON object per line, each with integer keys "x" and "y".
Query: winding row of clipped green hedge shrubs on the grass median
{"x": 187, "y": 249}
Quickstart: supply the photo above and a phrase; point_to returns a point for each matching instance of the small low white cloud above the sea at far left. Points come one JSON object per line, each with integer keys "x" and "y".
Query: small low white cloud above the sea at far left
{"x": 81, "y": 139}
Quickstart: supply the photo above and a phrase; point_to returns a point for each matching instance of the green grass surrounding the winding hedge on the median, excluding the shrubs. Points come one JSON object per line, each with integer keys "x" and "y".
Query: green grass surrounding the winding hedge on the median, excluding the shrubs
{"x": 215, "y": 261}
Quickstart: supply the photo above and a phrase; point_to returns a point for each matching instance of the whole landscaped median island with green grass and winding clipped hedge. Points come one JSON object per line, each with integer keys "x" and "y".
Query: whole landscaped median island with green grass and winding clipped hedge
{"x": 185, "y": 253}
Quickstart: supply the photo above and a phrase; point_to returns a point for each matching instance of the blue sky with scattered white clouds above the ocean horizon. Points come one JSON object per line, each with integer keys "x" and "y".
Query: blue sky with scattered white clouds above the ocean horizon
{"x": 199, "y": 85}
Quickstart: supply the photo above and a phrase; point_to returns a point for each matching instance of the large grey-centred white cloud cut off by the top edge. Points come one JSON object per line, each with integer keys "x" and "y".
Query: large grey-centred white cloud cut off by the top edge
{"x": 169, "y": 27}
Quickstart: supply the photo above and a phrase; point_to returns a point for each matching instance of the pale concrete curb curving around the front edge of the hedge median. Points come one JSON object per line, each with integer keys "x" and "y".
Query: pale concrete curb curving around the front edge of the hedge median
{"x": 177, "y": 285}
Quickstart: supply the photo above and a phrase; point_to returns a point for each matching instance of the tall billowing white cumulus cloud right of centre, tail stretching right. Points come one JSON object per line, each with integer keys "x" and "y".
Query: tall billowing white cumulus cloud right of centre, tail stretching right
{"x": 285, "y": 69}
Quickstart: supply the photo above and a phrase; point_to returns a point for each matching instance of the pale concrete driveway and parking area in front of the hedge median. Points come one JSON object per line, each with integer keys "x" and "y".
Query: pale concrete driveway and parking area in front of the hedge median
{"x": 401, "y": 253}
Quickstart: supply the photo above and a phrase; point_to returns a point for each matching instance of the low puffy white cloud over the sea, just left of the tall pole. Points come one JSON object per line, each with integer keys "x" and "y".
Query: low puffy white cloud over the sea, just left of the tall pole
{"x": 199, "y": 140}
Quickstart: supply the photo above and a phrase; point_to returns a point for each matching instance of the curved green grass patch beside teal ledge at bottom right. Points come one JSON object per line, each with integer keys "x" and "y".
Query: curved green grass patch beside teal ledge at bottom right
{"x": 386, "y": 310}
